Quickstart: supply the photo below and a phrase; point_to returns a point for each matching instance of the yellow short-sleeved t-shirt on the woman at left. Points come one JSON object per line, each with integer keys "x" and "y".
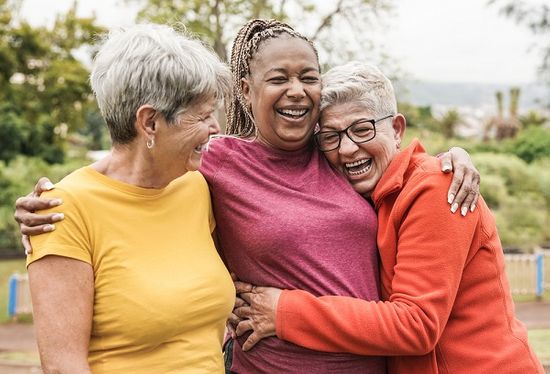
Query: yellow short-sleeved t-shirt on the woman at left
{"x": 162, "y": 293}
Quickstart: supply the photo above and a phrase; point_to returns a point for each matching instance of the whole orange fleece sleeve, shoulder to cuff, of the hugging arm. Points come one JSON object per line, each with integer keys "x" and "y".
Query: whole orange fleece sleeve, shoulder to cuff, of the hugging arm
{"x": 432, "y": 250}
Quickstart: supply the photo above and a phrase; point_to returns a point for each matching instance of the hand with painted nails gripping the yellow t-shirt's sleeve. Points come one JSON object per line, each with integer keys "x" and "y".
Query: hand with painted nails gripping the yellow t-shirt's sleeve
{"x": 32, "y": 223}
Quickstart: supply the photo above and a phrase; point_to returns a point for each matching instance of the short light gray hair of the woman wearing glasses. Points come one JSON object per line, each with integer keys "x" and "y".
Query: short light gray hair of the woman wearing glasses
{"x": 359, "y": 82}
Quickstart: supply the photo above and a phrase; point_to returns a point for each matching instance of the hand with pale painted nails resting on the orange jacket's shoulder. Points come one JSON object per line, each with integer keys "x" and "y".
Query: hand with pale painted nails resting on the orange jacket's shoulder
{"x": 464, "y": 190}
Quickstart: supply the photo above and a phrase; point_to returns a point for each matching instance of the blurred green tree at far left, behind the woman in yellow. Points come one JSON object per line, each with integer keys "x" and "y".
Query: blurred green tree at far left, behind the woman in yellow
{"x": 44, "y": 87}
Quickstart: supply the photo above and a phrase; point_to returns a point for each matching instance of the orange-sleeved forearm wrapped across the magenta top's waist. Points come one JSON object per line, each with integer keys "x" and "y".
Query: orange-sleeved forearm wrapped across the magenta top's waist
{"x": 345, "y": 324}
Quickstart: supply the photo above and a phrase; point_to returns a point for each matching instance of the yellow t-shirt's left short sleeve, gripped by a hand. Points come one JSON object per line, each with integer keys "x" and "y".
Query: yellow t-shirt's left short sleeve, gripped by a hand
{"x": 70, "y": 237}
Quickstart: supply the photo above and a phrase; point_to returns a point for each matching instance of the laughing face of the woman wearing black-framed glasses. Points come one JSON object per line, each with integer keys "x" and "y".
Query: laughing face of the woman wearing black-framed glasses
{"x": 363, "y": 164}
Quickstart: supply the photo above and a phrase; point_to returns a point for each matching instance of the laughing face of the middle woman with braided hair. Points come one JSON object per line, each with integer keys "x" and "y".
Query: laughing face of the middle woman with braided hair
{"x": 284, "y": 90}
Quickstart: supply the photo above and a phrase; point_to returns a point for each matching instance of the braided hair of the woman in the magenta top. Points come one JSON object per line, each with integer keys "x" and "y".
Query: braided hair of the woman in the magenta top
{"x": 240, "y": 121}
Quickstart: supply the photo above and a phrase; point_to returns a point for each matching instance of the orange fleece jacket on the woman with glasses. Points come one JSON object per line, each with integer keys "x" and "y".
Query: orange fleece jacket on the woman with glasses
{"x": 448, "y": 307}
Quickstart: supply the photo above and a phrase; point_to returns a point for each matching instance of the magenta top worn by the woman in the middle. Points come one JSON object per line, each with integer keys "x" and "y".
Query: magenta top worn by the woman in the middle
{"x": 288, "y": 220}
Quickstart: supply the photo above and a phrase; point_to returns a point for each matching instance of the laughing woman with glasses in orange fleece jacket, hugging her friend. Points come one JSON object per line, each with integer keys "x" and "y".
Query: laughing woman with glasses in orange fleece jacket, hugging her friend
{"x": 447, "y": 305}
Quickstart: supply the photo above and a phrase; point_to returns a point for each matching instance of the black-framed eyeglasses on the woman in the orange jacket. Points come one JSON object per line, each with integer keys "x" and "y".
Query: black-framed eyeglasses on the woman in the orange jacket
{"x": 360, "y": 131}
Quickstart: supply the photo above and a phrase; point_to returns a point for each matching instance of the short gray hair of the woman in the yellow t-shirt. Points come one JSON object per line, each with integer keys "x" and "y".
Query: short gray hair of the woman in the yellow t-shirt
{"x": 155, "y": 65}
